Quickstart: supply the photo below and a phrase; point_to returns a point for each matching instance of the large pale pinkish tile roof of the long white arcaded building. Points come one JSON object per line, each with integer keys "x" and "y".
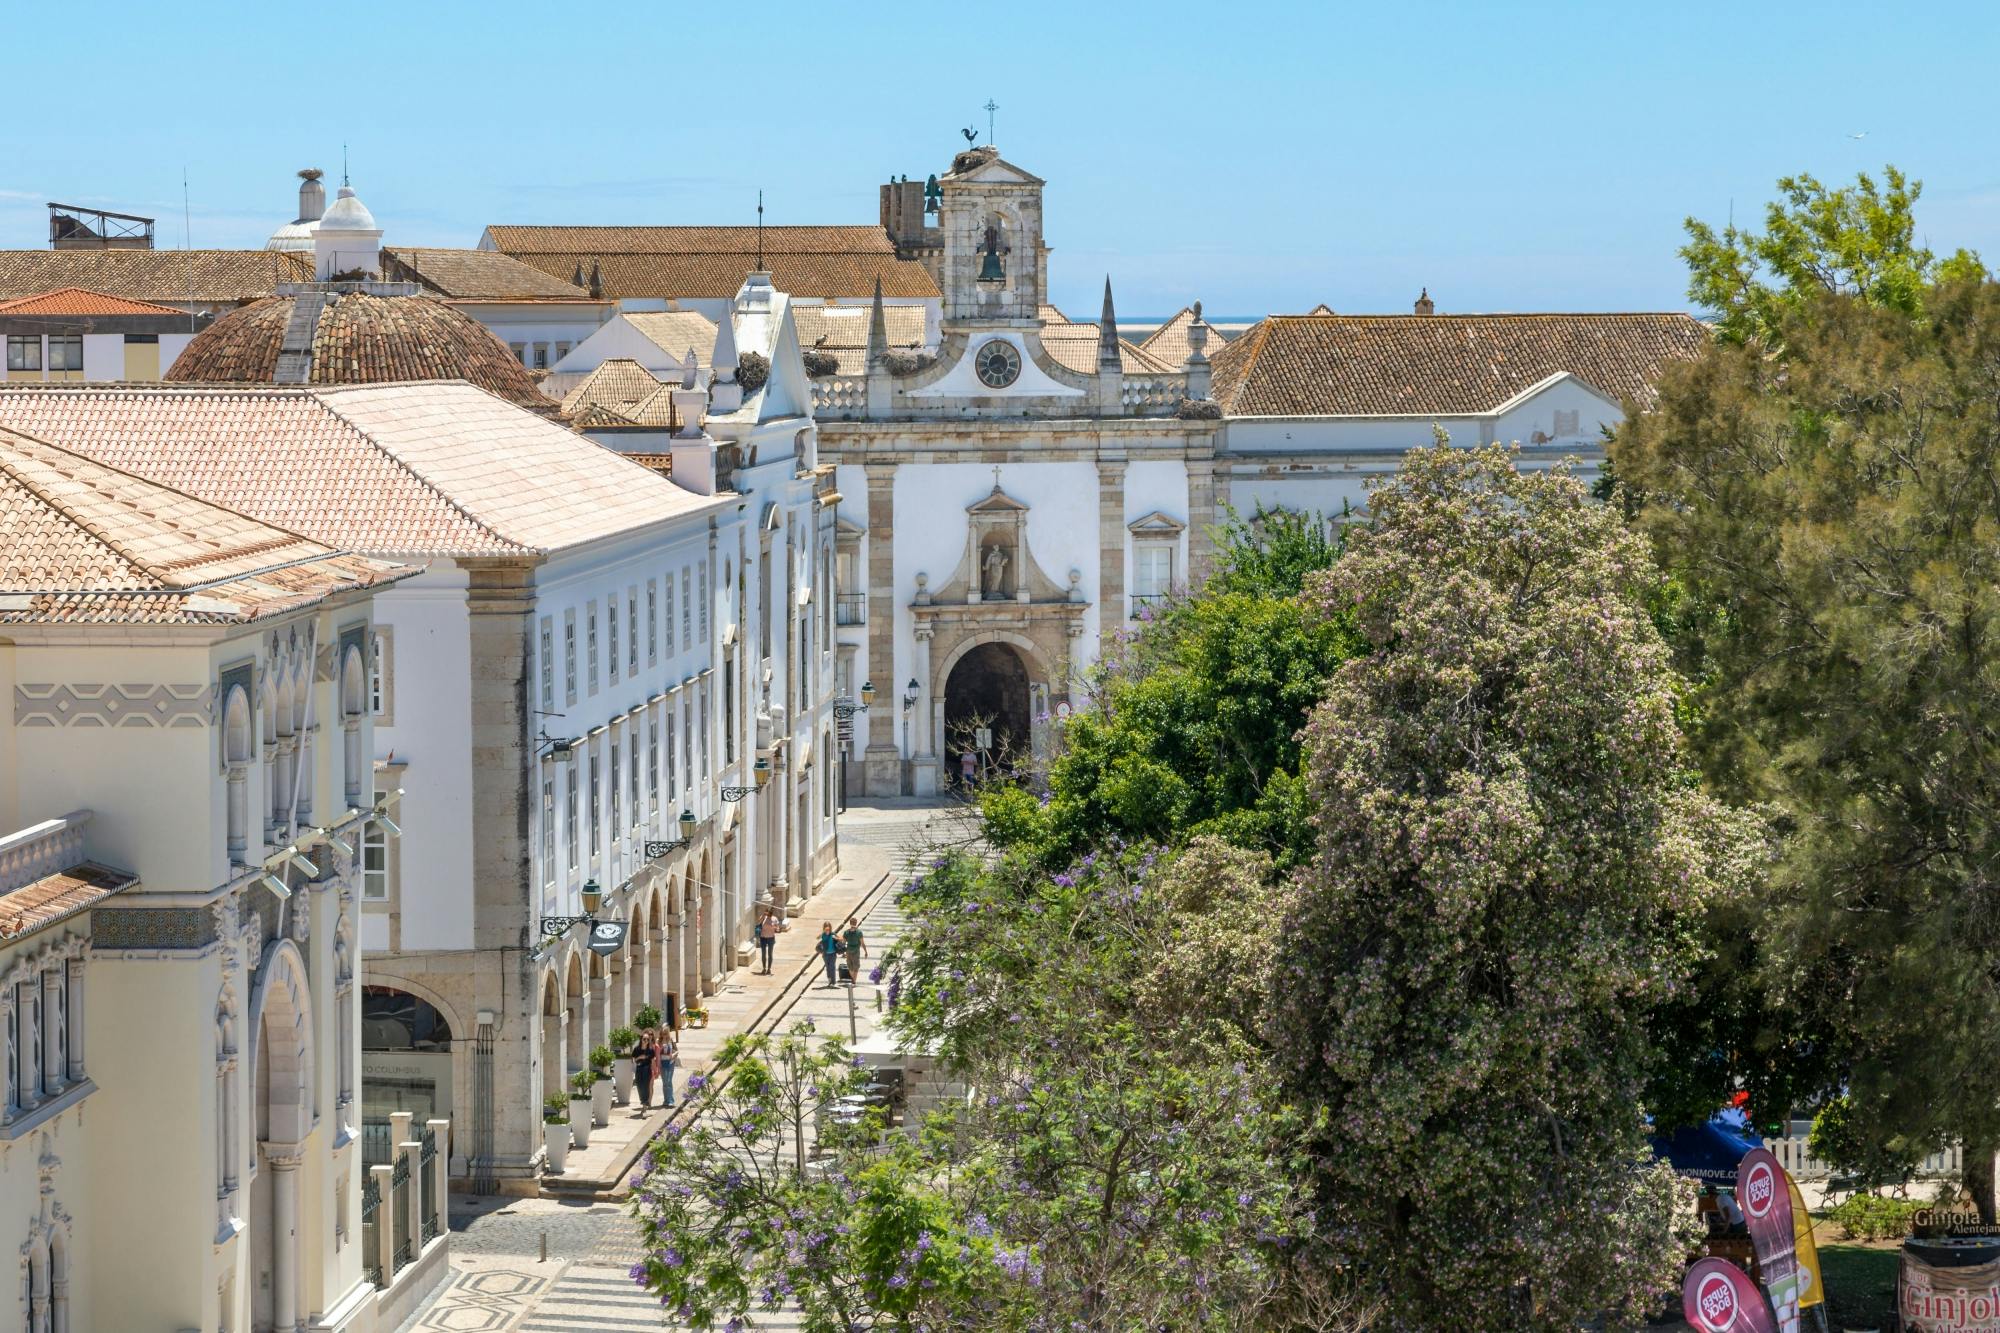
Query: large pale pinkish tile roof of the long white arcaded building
{"x": 385, "y": 469}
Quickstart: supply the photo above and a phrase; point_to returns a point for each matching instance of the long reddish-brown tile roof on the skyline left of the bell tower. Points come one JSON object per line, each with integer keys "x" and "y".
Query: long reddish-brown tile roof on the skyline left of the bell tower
{"x": 849, "y": 275}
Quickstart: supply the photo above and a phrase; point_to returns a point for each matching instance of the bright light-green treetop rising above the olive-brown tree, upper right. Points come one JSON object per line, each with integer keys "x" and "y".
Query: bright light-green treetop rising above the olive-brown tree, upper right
{"x": 1857, "y": 241}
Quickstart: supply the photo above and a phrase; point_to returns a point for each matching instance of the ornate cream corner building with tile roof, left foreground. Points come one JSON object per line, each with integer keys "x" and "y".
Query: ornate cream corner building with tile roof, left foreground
{"x": 185, "y": 774}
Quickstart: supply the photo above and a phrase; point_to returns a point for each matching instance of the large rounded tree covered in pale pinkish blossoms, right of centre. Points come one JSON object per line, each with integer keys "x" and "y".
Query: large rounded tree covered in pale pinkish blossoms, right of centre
{"x": 1511, "y": 852}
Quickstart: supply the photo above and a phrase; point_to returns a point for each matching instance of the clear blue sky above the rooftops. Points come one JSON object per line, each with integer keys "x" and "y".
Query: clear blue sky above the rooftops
{"x": 1257, "y": 157}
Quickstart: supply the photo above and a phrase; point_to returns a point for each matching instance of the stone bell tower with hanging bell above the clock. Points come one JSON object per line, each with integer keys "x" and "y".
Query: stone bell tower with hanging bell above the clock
{"x": 995, "y": 269}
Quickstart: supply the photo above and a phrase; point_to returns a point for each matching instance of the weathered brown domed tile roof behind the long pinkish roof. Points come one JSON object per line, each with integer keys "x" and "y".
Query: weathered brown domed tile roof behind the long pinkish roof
{"x": 359, "y": 339}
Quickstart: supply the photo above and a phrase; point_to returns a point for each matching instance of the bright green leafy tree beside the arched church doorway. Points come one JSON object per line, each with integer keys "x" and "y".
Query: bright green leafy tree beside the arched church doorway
{"x": 1193, "y": 724}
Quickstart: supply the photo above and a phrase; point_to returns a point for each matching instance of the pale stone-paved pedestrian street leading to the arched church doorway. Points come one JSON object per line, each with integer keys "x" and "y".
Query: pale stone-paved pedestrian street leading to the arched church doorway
{"x": 561, "y": 1264}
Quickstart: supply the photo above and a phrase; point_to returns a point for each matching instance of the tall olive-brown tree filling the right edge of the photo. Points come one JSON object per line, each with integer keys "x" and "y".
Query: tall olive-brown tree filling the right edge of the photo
{"x": 1841, "y": 509}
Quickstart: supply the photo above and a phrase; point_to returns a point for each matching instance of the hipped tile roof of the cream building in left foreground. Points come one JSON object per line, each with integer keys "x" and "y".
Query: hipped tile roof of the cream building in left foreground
{"x": 83, "y": 541}
